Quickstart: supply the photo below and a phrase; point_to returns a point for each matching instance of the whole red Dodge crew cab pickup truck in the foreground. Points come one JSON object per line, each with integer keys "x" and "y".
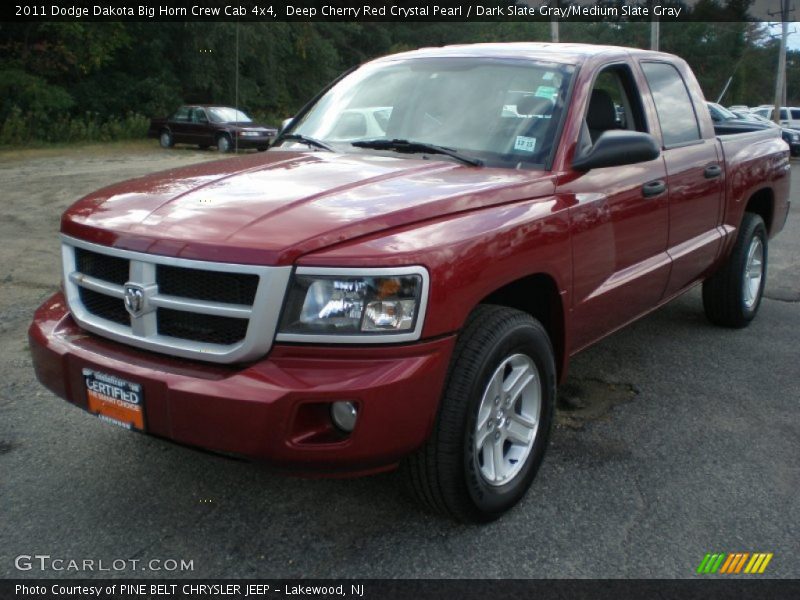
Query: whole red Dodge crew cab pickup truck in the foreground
{"x": 402, "y": 278}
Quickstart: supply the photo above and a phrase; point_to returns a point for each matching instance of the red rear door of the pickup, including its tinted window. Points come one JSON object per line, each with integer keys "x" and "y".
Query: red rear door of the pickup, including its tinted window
{"x": 695, "y": 176}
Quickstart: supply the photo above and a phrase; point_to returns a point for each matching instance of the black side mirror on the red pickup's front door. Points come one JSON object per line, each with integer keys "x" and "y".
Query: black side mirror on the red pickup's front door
{"x": 615, "y": 148}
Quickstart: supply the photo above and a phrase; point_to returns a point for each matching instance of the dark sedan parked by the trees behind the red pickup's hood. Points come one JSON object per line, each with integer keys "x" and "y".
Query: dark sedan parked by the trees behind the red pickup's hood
{"x": 221, "y": 126}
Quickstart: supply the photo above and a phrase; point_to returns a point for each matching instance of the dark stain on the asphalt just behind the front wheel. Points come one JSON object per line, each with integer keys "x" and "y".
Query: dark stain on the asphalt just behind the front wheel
{"x": 585, "y": 400}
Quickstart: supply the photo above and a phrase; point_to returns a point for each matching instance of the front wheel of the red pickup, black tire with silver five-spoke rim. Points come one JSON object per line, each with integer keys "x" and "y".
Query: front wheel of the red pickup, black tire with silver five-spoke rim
{"x": 494, "y": 420}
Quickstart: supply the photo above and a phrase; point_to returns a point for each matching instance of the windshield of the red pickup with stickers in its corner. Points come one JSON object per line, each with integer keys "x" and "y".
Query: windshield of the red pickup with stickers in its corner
{"x": 504, "y": 112}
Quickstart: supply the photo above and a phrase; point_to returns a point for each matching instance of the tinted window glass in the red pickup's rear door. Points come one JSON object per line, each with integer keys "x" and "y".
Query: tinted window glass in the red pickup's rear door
{"x": 673, "y": 104}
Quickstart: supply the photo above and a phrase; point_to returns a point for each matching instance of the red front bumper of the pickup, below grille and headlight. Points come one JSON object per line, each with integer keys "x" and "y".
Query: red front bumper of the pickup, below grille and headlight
{"x": 276, "y": 409}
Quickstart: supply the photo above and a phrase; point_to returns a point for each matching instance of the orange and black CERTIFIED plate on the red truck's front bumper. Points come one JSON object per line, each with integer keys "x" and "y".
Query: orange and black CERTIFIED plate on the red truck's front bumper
{"x": 114, "y": 400}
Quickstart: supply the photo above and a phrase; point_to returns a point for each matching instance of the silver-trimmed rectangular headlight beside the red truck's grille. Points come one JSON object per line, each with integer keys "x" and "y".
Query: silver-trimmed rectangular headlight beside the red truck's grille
{"x": 355, "y": 305}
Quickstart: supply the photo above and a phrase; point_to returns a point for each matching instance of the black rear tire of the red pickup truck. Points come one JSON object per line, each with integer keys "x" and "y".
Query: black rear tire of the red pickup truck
{"x": 726, "y": 299}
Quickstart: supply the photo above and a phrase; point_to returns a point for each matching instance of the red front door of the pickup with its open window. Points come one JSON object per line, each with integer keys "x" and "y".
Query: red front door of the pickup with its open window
{"x": 619, "y": 220}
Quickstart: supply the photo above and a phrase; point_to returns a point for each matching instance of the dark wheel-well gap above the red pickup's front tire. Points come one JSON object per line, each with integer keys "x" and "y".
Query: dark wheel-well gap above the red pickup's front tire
{"x": 537, "y": 295}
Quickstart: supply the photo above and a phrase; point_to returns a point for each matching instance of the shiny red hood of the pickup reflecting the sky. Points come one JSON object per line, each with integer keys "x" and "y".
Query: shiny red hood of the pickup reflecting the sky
{"x": 272, "y": 208}
